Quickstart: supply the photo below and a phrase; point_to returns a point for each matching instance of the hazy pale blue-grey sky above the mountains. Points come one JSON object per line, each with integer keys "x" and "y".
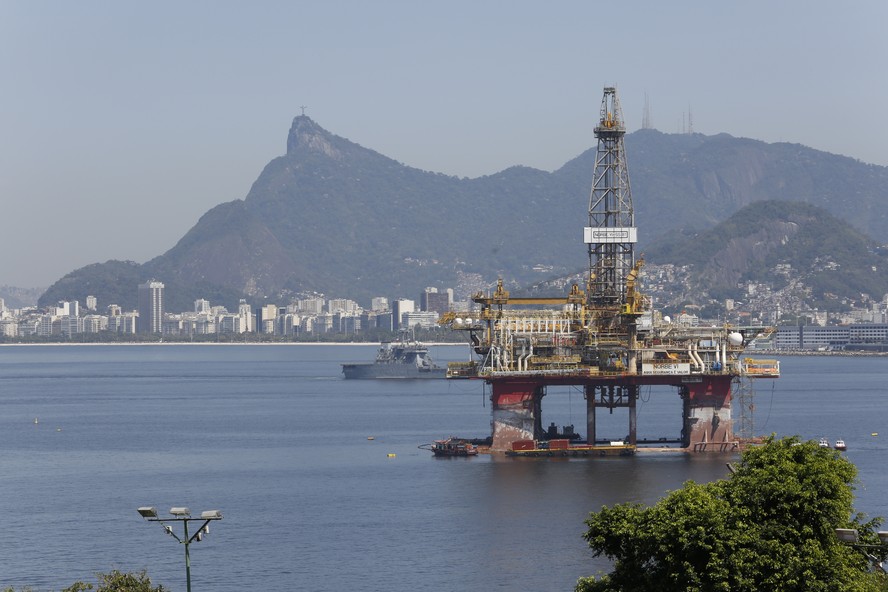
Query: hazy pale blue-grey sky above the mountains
{"x": 121, "y": 123}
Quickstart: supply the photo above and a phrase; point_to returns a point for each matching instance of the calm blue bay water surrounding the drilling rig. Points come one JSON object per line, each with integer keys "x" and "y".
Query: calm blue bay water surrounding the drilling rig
{"x": 274, "y": 438}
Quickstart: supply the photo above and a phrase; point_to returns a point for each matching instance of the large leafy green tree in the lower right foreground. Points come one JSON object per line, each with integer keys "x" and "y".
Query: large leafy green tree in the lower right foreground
{"x": 769, "y": 526}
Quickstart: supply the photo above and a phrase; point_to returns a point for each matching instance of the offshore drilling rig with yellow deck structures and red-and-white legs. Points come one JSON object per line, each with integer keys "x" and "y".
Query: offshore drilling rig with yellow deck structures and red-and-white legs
{"x": 604, "y": 337}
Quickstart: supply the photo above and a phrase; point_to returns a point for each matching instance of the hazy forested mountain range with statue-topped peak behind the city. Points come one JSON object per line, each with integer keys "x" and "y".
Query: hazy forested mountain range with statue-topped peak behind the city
{"x": 335, "y": 218}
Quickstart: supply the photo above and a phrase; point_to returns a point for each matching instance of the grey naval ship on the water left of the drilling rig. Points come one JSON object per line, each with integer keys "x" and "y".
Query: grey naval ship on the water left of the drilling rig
{"x": 405, "y": 359}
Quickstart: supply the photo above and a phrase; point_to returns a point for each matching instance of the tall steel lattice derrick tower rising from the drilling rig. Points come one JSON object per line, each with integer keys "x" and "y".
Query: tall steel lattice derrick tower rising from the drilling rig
{"x": 611, "y": 234}
